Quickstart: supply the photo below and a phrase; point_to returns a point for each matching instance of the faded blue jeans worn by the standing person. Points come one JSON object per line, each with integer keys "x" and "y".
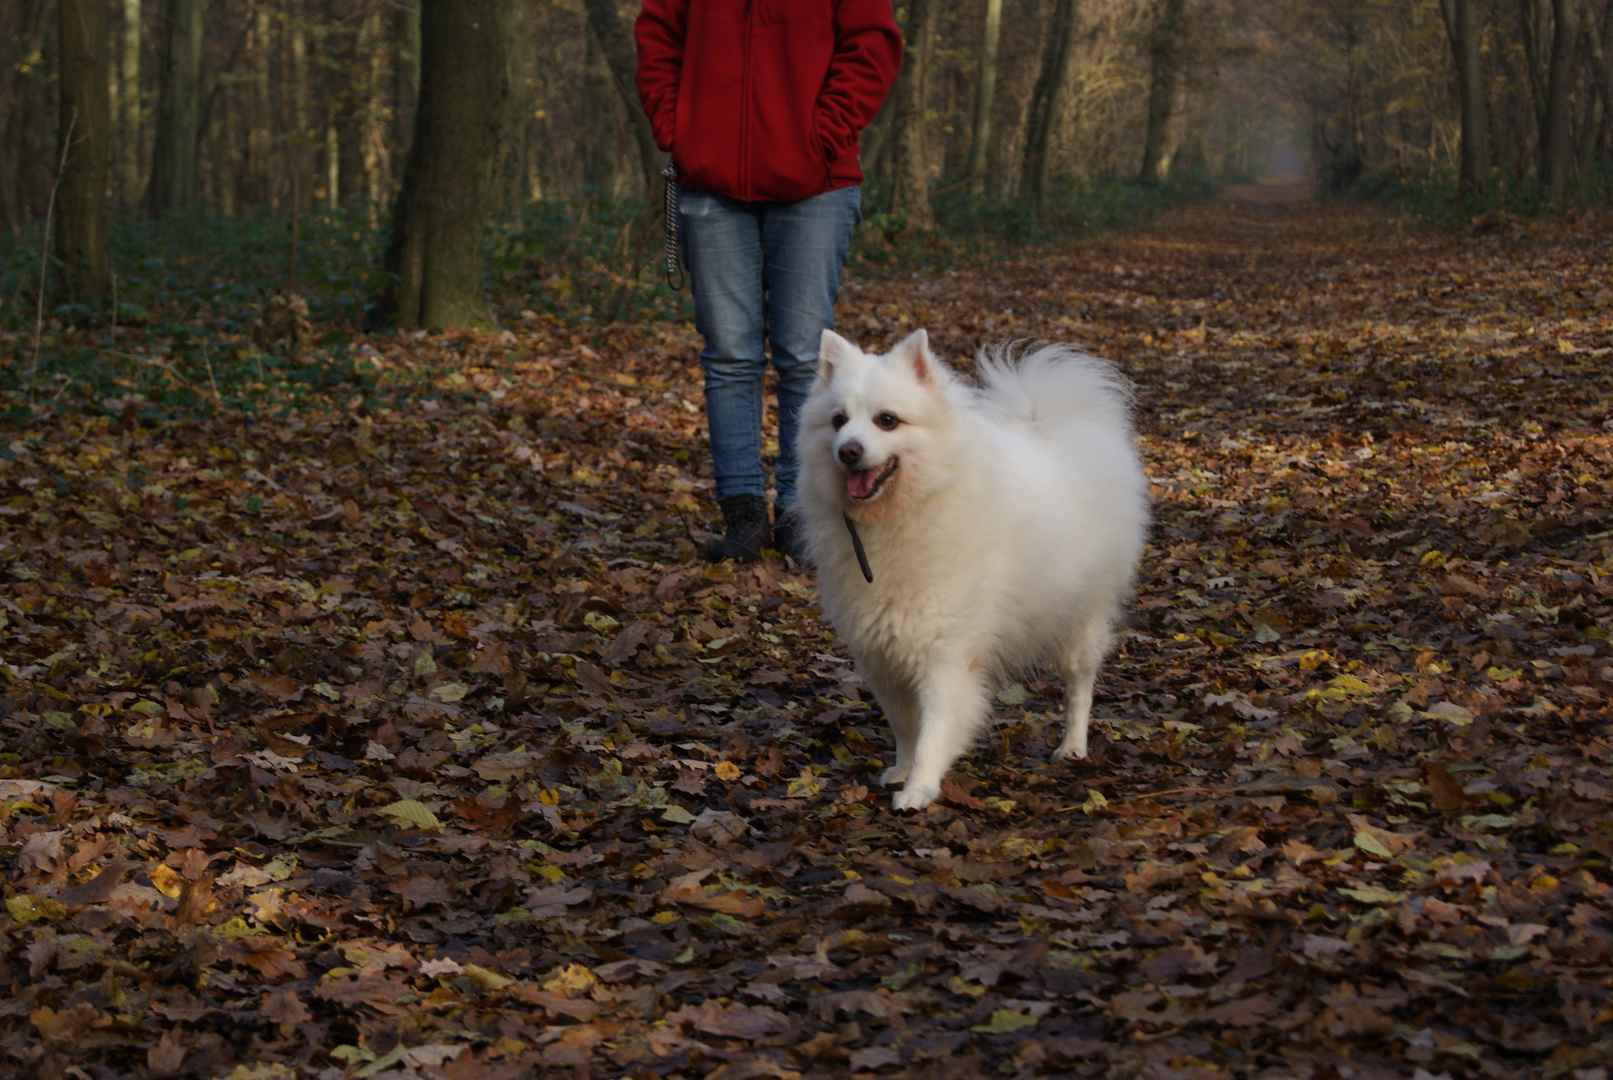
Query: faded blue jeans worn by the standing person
{"x": 762, "y": 275}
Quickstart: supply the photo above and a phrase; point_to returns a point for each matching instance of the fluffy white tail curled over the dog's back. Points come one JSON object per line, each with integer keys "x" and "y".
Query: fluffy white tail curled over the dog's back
{"x": 1052, "y": 384}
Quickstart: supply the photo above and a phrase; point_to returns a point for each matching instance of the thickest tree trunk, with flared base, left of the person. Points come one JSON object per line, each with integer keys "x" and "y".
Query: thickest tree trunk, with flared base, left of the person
{"x": 436, "y": 251}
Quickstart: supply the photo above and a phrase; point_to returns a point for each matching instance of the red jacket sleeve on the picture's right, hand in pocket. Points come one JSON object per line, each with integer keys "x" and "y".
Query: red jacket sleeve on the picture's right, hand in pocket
{"x": 862, "y": 72}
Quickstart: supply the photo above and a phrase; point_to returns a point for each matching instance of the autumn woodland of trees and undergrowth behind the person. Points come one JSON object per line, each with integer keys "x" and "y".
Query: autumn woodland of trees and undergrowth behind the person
{"x": 186, "y": 149}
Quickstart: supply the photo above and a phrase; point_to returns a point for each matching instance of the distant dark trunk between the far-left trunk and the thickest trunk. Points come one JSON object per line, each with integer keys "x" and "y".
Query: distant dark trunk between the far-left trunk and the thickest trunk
{"x": 178, "y": 109}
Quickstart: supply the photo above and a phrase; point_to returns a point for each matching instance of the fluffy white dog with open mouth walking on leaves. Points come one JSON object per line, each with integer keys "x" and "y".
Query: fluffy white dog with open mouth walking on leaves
{"x": 964, "y": 534}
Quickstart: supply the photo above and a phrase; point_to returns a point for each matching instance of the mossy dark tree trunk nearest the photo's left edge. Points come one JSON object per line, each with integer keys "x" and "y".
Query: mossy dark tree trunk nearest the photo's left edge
{"x": 85, "y": 149}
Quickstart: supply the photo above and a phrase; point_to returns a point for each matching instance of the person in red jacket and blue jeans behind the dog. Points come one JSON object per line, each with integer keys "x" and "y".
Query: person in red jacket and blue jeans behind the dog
{"x": 761, "y": 104}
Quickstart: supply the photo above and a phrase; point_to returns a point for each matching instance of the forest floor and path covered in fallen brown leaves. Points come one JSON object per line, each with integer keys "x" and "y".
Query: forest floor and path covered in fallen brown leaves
{"x": 420, "y": 744}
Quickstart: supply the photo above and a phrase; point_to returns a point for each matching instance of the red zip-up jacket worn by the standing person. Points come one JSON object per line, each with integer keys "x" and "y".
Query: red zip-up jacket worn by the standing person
{"x": 765, "y": 99}
